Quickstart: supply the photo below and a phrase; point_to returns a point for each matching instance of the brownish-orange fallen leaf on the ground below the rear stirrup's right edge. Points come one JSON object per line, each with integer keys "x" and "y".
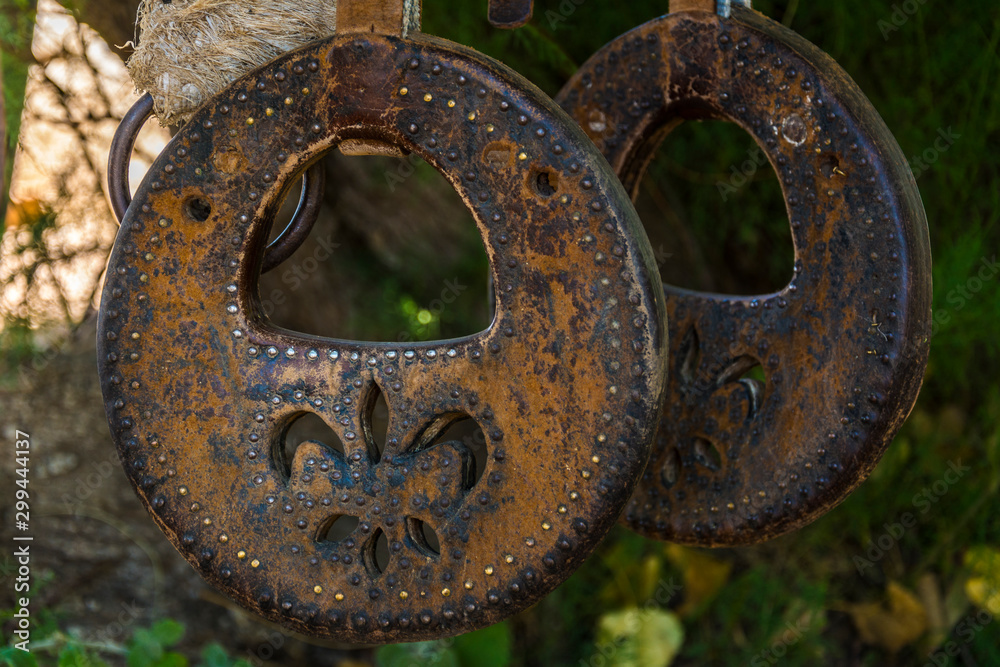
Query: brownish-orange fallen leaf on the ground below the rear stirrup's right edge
{"x": 893, "y": 624}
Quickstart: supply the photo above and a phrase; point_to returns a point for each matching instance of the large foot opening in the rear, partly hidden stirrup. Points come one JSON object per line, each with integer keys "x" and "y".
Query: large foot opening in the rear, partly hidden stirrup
{"x": 715, "y": 213}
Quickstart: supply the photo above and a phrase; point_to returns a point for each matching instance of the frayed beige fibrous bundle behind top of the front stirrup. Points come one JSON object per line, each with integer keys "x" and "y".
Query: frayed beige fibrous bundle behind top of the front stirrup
{"x": 189, "y": 50}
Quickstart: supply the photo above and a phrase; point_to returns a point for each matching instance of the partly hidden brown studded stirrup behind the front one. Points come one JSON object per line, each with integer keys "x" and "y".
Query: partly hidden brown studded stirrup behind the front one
{"x": 842, "y": 348}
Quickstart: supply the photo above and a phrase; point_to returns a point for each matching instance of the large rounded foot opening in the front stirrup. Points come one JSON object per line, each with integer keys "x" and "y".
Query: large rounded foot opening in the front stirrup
{"x": 396, "y": 256}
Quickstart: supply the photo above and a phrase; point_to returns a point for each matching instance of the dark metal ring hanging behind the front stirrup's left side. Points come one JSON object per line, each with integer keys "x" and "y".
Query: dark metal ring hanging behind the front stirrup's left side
{"x": 280, "y": 249}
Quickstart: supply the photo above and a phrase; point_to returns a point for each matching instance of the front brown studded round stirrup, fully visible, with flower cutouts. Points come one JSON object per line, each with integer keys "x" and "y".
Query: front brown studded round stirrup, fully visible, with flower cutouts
{"x": 566, "y": 383}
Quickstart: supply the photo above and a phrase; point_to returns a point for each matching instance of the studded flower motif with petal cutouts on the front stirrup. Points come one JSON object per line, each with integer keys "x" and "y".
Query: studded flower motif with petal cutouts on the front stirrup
{"x": 436, "y": 476}
